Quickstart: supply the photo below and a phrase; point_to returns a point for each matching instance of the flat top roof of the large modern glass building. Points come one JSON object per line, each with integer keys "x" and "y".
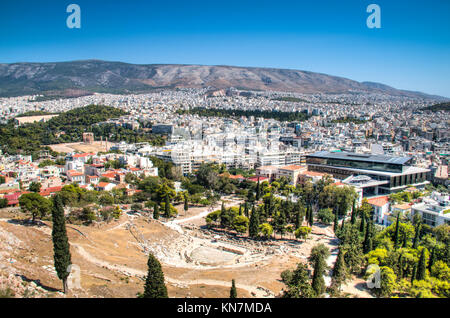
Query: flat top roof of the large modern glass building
{"x": 361, "y": 157}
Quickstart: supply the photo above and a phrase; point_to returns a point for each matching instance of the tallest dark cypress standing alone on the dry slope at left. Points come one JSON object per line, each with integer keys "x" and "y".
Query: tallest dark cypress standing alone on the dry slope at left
{"x": 61, "y": 247}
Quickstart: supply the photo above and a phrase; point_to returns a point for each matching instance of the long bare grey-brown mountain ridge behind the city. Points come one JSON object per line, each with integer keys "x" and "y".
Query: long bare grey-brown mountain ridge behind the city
{"x": 117, "y": 77}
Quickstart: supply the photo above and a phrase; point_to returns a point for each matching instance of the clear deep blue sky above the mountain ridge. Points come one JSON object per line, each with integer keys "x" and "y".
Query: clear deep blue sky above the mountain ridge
{"x": 411, "y": 50}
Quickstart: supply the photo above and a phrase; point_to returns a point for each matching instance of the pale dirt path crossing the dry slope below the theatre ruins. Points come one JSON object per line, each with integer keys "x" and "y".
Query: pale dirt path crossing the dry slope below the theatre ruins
{"x": 253, "y": 290}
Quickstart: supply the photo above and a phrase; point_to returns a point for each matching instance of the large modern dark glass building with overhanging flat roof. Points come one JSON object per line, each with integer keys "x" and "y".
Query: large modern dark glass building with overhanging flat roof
{"x": 397, "y": 171}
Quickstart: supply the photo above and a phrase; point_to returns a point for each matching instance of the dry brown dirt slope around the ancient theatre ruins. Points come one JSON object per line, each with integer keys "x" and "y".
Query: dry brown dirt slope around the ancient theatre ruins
{"x": 112, "y": 258}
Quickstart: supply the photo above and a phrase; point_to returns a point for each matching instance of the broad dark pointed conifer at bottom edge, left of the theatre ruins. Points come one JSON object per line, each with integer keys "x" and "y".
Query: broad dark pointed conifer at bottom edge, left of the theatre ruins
{"x": 154, "y": 283}
